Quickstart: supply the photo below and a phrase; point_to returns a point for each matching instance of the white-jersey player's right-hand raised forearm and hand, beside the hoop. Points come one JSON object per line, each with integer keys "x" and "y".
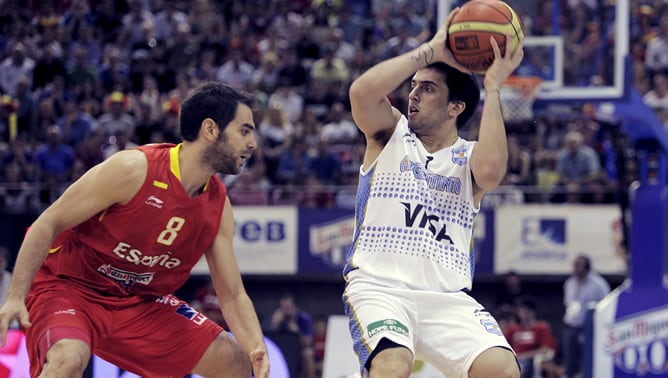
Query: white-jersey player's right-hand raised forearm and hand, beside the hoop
{"x": 489, "y": 158}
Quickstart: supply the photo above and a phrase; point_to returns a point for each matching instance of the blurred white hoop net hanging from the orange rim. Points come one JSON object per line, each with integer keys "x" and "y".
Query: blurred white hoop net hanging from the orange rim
{"x": 518, "y": 94}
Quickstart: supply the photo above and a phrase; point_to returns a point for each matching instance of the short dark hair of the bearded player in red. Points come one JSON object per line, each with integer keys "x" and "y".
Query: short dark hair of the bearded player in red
{"x": 213, "y": 100}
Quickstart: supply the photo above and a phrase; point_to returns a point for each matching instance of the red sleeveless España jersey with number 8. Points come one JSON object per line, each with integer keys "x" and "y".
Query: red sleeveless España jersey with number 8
{"x": 146, "y": 247}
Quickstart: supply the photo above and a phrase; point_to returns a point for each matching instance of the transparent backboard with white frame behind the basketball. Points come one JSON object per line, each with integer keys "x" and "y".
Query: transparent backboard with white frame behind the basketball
{"x": 578, "y": 47}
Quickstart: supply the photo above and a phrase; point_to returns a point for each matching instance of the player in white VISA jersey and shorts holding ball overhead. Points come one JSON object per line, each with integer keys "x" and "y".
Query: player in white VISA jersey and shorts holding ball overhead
{"x": 410, "y": 264}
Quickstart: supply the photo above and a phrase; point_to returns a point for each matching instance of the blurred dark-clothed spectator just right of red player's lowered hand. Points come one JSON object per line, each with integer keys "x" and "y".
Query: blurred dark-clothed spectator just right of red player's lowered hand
{"x": 288, "y": 317}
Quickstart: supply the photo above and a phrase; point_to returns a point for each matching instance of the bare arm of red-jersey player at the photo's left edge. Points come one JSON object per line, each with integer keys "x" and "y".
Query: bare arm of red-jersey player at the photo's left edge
{"x": 115, "y": 180}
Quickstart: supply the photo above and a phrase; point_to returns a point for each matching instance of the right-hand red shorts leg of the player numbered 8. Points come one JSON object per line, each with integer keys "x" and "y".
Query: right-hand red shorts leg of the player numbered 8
{"x": 165, "y": 337}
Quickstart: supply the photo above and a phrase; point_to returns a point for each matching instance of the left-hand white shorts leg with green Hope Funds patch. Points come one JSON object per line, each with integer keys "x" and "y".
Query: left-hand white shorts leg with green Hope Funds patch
{"x": 377, "y": 313}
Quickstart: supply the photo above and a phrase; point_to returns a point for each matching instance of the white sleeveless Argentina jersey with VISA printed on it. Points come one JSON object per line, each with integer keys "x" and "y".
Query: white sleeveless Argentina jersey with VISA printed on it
{"x": 414, "y": 216}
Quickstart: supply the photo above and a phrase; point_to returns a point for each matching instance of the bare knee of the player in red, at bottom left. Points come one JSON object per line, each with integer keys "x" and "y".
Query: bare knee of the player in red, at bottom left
{"x": 66, "y": 358}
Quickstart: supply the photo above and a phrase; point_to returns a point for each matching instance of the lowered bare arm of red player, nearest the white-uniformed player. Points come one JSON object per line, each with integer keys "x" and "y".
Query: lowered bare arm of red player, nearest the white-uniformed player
{"x": 237, "y": 308}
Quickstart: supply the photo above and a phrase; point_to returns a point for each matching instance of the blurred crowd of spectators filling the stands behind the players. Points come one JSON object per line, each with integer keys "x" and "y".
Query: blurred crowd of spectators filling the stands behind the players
{"x": 80, "y": 80}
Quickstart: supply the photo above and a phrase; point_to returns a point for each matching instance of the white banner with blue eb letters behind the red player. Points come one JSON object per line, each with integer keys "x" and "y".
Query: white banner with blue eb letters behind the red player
{"x": 265, "y": 240}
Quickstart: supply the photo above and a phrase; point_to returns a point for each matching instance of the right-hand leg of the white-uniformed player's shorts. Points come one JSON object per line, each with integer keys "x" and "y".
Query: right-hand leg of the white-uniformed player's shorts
{"x": 454, "y": 331}
